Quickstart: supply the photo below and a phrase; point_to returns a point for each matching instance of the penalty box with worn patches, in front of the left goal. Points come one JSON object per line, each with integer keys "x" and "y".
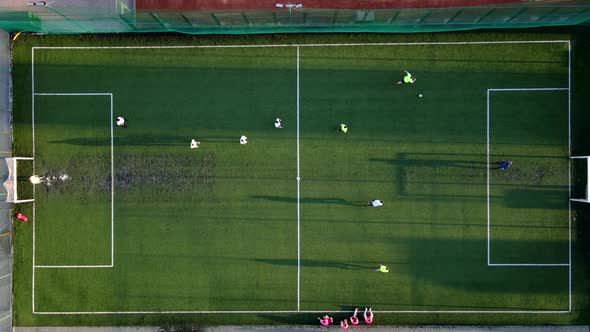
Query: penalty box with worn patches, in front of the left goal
{"x": 58, "y": 224}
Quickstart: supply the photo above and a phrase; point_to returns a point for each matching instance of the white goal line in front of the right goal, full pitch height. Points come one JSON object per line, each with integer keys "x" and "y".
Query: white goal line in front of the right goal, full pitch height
{"x": 569, "y": 147}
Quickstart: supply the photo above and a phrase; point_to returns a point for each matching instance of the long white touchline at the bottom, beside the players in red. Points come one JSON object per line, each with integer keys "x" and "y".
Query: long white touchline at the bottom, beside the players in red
{"x": 302, "y": 311}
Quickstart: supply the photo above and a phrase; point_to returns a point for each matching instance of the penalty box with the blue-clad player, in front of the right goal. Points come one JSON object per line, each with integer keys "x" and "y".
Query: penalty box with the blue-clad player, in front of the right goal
{"x": 527, "y": 204}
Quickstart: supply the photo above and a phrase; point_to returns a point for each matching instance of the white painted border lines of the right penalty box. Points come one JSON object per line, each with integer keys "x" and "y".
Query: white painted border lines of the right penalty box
{"x": 488, "y": 178}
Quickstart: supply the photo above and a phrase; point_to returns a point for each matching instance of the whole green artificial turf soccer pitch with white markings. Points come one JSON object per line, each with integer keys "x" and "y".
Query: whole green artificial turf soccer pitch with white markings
{"x": 149, "y": 231}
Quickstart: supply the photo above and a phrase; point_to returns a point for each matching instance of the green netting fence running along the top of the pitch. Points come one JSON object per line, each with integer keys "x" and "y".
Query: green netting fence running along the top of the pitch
{"x": 118, "y": 17}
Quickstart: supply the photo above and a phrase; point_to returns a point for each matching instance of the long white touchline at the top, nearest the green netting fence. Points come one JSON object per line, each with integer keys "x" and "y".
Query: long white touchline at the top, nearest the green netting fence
{"x": 299, "y": 45}
